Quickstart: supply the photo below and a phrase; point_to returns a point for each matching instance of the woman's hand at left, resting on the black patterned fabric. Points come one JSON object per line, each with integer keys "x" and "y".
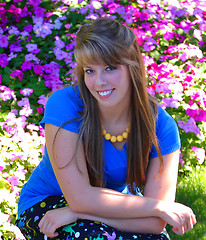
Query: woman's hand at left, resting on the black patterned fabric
{"x": 56, "y": 218}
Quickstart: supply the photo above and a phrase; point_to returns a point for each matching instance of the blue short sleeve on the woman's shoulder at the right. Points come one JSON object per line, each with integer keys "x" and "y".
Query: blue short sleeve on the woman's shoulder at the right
{"x": 167, "y": 134}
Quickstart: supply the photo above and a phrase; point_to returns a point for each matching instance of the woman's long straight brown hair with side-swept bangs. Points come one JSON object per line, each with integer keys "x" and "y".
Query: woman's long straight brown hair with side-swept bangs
{"x": 106, "y": 40}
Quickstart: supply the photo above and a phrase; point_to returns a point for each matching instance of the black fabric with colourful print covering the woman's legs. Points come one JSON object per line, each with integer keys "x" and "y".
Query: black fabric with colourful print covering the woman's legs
{"x": 81, "y": 229}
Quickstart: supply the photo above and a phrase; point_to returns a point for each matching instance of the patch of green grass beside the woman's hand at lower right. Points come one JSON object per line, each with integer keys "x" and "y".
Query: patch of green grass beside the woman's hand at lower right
{"x": 191, "y": 191}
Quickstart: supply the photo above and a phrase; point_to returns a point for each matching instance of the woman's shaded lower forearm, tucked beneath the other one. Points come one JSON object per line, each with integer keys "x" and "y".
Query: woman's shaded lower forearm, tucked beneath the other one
{"x": 151, "y": 225}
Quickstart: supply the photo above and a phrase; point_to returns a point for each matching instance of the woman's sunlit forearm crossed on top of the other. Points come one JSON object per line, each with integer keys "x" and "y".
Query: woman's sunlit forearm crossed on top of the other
{"x": 109, "y": 203}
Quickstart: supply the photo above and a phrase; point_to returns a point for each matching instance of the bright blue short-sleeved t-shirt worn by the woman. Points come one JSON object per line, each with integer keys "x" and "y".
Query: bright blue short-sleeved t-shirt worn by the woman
{"x": 64, "y": 105}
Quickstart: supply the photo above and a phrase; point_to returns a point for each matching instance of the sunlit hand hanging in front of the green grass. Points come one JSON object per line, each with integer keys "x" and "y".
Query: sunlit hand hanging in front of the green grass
{"x": 179, "y": 216}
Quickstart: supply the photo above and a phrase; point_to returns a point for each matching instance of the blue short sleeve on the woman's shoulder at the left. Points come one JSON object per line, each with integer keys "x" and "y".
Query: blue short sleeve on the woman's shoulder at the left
{"x": 63, "y": 109}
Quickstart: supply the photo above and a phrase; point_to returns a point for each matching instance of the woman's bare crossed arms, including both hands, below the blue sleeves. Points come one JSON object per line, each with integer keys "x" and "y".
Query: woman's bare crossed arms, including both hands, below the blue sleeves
{"x": 148, "y": 214}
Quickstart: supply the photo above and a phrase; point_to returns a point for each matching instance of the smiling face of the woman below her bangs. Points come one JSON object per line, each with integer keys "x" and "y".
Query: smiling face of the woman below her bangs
{"x": 110, "y": 85}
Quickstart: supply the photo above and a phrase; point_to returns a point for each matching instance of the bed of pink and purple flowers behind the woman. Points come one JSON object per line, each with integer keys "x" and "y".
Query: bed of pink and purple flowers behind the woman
{"x": 37, "y": 39}
